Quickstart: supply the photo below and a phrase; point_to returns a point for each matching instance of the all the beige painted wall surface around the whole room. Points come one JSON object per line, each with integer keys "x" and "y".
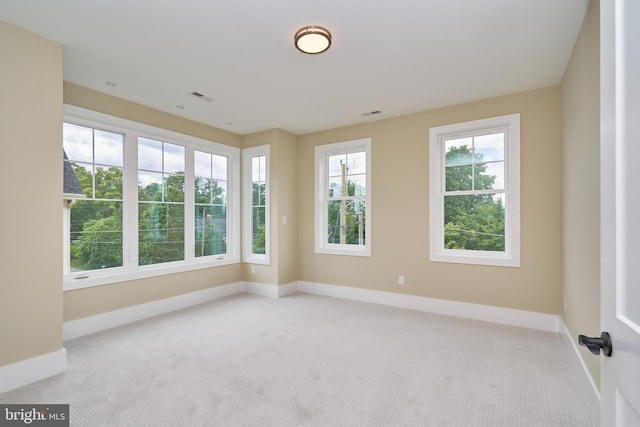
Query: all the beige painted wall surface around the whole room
{"x": 31, "y": 300}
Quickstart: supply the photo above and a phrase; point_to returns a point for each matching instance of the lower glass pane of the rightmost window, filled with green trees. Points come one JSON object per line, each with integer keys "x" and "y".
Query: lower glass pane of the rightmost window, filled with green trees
{"x": 474, "y": 222}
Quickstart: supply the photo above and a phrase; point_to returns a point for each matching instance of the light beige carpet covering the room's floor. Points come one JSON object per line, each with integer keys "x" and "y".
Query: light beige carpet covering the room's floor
{"x": 308, "y": 360}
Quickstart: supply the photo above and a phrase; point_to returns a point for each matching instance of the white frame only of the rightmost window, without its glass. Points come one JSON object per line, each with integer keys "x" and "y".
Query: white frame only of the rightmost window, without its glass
{"x": 510, "y": 124}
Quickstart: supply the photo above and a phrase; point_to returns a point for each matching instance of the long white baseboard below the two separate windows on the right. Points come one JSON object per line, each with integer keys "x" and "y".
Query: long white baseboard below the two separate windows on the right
{"x": 526, "y": 319}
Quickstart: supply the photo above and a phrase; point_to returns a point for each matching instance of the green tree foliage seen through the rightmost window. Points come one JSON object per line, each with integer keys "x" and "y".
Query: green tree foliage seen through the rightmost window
{"x": 471, "y": 222}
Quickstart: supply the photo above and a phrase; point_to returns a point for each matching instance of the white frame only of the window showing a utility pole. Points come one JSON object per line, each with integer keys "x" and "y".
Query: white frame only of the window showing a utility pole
{"x": 322, "y": 153}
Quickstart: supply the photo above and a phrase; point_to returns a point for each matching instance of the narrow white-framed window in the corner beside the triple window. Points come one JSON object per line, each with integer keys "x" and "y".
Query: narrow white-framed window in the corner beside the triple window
{"x": 256, "y": 205}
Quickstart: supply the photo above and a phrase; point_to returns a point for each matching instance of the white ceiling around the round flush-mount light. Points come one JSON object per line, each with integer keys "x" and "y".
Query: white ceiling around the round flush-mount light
{"x": 399, "y": 57}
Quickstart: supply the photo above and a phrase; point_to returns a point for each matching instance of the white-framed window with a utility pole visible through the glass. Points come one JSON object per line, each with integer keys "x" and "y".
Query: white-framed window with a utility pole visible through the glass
{"x": 343, "y": 198}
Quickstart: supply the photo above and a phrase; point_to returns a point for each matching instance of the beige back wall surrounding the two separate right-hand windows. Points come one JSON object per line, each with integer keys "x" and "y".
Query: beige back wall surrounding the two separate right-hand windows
{"x": 400, "y": 215}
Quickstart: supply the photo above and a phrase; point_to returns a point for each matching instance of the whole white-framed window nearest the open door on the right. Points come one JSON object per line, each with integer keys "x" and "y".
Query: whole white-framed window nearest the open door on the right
{"x": 475, "y": 192}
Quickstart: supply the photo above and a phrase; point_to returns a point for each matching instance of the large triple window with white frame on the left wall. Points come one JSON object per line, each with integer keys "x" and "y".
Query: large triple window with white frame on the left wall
{"x": 156, "y": 202}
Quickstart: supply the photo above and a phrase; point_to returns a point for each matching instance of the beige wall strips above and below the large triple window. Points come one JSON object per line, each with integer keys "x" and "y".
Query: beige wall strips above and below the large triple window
{"x": 90, "y": 301}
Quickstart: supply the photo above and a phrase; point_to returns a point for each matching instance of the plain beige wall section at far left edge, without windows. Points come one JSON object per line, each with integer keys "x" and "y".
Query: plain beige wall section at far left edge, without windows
{"x": 31, "y": 189}
